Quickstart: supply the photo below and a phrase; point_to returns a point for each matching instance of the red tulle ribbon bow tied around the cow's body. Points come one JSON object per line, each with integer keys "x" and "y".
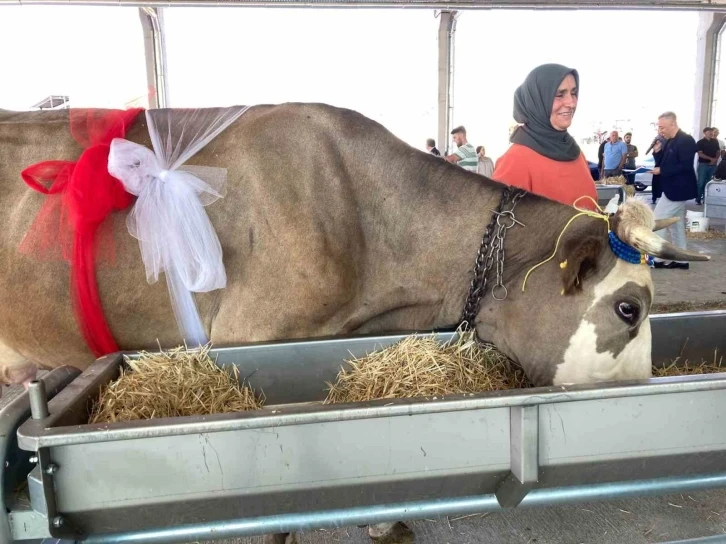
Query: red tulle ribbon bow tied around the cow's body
{"x": 81, "y": 195}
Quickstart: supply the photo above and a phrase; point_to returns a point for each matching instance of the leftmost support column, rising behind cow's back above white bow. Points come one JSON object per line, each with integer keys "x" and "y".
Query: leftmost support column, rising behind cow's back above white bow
{"x": 152, "y": 22}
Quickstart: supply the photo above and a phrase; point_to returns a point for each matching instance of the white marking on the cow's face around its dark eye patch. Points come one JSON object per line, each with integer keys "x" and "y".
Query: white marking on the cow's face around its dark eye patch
{"x": 582, "y": 362}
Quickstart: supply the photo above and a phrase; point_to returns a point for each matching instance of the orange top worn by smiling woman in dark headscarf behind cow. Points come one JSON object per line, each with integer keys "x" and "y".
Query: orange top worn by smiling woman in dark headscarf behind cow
{"x": 564, "y": 182}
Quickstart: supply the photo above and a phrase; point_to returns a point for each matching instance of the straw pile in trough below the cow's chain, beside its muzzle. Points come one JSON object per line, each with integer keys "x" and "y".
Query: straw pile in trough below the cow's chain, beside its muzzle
{"x": 424, "y": 367}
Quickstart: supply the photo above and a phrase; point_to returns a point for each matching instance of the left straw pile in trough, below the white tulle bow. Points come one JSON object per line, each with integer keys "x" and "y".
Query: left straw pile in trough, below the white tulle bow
{"x": 176, "y": 383}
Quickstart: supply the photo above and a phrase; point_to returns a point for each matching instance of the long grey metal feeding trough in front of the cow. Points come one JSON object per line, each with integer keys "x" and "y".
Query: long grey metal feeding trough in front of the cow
{"x": 298, "y": 464}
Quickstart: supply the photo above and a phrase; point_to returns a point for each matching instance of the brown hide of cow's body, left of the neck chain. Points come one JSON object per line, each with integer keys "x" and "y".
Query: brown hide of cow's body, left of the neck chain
{"x": 330, "y": 225}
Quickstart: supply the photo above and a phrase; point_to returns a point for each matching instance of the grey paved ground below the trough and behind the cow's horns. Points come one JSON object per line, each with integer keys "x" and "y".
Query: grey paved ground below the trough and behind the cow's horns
{"x": 647, "y": 520}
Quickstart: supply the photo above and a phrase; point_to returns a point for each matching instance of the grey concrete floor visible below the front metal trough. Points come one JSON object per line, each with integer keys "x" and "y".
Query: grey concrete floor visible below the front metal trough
{"x": 650, "y": 520}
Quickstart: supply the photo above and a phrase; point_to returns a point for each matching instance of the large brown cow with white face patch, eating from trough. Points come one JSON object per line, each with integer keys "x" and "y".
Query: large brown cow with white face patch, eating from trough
{"x": 333, "y": 226}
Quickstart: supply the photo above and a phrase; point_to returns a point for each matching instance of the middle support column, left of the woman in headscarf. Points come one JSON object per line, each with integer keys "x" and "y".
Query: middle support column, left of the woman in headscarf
{"x": 447, "y": 28}
